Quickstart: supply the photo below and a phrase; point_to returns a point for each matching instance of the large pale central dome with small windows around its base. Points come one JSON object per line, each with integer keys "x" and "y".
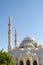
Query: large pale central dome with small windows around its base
{"x": 28, "y": 41}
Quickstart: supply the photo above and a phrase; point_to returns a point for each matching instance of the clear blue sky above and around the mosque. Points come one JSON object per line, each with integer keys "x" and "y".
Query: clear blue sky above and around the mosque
{"x": 27, "y": 17}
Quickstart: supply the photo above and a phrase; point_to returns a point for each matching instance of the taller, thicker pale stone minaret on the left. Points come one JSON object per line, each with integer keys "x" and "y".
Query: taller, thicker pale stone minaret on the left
{"x": 10, "y": 34}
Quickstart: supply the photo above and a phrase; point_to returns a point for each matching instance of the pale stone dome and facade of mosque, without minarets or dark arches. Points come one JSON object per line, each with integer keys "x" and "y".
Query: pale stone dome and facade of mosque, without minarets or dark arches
{"x": 27, "y": 51}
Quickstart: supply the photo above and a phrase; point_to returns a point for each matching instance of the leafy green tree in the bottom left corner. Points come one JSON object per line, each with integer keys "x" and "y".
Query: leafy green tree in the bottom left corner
{"x": 5, "y": 58}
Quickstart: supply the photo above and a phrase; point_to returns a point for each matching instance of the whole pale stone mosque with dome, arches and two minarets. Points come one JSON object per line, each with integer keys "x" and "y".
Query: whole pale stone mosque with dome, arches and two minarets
{"x": 28, "y": 53}
